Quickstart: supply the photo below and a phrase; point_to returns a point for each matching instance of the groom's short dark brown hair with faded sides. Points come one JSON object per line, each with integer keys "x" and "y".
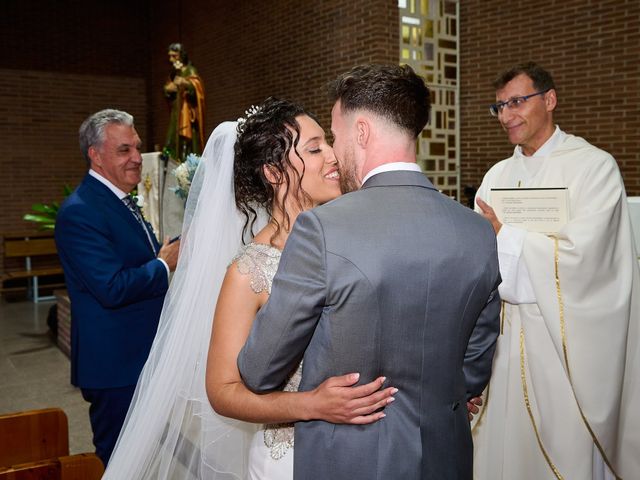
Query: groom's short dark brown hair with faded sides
{"x": 394, "y": 92}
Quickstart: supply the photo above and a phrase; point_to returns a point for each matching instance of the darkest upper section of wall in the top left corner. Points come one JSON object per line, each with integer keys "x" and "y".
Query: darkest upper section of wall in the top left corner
{"x": 76, "y": 36}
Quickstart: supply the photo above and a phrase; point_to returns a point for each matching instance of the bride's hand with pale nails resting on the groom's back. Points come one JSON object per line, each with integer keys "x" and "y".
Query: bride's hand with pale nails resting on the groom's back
{"x": 336, "y": 400}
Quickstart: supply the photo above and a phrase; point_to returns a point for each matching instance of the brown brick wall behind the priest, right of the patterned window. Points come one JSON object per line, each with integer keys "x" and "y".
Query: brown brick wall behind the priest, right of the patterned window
{"x": 592, "y": 50}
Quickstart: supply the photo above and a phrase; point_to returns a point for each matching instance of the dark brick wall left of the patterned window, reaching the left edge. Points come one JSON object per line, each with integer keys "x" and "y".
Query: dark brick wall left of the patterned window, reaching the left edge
{"x": 64, "y": 60}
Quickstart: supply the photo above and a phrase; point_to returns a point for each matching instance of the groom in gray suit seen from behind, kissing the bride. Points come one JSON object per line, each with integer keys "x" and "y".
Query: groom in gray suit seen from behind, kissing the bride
{"x": 395, "y": 279}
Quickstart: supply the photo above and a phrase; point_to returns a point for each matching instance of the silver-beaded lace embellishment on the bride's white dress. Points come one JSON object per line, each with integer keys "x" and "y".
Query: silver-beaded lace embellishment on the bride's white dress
{"x": 260, "y": 262}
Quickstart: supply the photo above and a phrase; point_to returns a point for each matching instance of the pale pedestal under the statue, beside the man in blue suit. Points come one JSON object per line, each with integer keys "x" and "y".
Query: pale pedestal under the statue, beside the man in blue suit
{"x": 162, "y": 208}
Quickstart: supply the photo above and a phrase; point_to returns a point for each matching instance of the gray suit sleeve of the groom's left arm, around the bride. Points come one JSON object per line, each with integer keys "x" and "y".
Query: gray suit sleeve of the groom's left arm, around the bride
{"x": 284, "y": 326}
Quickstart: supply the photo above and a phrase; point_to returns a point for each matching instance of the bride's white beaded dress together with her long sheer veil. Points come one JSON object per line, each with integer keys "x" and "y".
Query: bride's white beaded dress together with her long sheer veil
{"x": 171, "y": 432}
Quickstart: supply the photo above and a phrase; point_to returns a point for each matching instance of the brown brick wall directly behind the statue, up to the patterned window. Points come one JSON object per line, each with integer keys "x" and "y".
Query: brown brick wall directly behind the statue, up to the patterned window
{"x": 246, "y": 51}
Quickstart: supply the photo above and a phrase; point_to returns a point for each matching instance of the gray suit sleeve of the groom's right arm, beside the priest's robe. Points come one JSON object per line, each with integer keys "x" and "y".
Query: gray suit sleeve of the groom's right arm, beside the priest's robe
{"x": 478, "y": 358}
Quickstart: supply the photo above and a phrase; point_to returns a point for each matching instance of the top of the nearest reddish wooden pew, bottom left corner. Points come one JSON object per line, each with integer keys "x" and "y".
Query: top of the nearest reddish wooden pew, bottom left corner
{"x": 83, "y": 466}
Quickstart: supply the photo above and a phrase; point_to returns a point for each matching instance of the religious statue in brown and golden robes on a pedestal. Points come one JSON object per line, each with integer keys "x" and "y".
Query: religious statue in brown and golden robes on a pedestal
{"x": 185, "y": 91}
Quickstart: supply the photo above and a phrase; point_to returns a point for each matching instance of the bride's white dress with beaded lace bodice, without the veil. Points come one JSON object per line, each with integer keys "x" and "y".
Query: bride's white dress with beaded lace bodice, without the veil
{"x": 271, "y": 448}
